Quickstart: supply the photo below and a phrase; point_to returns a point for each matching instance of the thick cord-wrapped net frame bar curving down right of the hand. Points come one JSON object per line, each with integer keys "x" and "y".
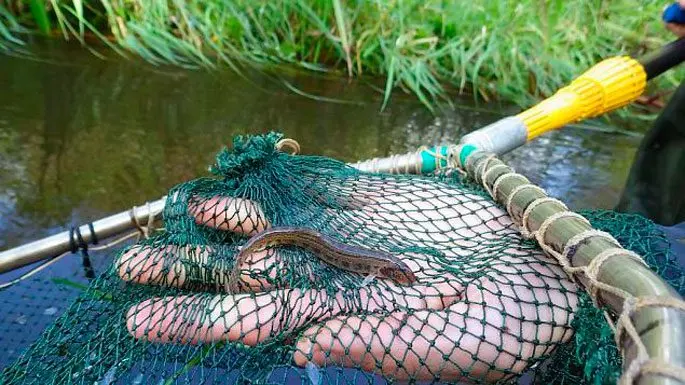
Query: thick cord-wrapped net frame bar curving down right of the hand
{"x": 648, "y": 315}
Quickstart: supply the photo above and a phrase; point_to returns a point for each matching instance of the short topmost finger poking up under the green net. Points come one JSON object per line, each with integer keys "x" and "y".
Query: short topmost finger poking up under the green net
{"x": 229, "y": 214}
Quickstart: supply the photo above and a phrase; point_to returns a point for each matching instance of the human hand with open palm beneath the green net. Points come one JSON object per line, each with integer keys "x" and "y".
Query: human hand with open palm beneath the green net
{"x": 485, "y": 303}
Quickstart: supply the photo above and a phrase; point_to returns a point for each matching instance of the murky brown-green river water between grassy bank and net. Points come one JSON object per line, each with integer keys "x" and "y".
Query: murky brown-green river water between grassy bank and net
{"x": 81, "y": 137}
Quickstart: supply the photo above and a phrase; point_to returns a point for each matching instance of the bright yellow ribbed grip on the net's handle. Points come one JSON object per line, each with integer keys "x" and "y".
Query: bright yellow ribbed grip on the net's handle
{"x": 608, "y": 85}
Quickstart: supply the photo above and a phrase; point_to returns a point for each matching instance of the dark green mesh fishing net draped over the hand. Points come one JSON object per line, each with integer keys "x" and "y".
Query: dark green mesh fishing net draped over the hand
{"x": 483, "y": 304}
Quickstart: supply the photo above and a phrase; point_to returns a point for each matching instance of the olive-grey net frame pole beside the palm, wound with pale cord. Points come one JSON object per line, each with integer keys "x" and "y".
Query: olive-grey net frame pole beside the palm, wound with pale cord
{"x": 660, "y": 328}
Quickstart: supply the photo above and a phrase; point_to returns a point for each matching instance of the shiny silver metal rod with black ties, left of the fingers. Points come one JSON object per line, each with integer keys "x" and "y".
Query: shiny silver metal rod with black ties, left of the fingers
{"x": 61, "y": 243}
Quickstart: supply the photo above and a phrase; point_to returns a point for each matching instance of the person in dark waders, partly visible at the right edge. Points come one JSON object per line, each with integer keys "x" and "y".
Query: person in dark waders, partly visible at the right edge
{"x": 656, "y": 183}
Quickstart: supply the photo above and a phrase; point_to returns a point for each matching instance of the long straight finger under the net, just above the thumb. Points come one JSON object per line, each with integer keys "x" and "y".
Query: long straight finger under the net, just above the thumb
{"x": 252, "y": 318}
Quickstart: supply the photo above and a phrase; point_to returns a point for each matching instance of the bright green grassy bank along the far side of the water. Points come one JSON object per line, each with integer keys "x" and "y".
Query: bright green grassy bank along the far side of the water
{"x": 513, "y": 50}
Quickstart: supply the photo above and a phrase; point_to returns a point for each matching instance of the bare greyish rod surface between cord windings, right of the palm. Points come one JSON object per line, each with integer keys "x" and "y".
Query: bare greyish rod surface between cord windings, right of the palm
{"x": 661, "y": 329}
